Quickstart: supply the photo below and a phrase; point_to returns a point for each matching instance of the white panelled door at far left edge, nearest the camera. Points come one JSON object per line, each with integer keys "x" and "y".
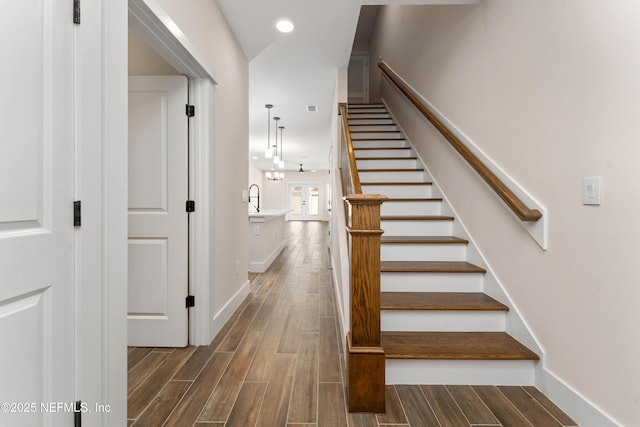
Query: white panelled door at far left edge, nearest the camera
{"x": 37, "y": 288}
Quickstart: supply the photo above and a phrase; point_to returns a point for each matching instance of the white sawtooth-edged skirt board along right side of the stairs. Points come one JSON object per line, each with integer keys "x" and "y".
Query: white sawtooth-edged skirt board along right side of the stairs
{"x": 515, "y": 324}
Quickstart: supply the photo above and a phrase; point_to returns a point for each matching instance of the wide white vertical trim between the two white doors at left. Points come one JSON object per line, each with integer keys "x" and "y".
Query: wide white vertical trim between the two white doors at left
{"x": 101, "y": 258}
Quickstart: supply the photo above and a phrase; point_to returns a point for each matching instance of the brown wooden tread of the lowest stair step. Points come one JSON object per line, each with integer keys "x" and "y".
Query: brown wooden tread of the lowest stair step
{"x": 454, "y": 345}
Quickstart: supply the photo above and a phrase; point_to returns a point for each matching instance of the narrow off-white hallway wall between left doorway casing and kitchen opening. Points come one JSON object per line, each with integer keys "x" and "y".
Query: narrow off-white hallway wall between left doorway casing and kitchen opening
{"x": 205, "y": 26}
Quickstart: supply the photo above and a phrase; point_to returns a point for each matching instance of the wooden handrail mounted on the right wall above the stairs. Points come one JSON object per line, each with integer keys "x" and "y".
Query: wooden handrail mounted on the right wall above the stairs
{"x": 521, "y": 210}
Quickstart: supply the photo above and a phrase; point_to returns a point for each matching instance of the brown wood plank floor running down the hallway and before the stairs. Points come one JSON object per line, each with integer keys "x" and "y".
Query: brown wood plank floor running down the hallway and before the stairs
{"x": 278, "y": 362}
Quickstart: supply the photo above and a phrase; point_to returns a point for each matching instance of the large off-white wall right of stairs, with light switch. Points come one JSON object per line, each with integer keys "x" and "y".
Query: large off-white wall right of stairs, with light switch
{"x": 550, "y": 91}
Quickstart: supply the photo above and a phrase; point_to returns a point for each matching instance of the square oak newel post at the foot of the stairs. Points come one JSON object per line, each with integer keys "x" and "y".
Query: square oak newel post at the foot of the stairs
{"x": 365, "y": 359}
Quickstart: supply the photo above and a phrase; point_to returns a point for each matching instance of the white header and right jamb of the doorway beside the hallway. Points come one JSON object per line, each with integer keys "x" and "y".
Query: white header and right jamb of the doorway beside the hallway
{"x": 158, "y": 30}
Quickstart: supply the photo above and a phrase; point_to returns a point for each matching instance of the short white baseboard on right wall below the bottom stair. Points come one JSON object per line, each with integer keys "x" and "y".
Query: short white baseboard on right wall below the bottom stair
{"x": 577, "y": 406}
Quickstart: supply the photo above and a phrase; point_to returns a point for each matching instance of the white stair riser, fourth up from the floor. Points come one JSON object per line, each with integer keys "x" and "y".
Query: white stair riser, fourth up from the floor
{"x": 422, "y": 252}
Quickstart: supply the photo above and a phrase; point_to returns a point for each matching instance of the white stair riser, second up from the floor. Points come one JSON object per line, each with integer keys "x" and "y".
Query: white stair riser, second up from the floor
{"x": 442, "y": 321}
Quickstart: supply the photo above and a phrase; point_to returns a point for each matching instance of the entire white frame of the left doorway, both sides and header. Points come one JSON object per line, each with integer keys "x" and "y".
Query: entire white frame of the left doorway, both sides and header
{"x": 101, "y": 165}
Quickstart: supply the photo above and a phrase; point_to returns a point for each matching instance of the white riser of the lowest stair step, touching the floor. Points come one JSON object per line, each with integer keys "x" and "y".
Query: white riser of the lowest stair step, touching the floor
{"x": 460, "y": 372}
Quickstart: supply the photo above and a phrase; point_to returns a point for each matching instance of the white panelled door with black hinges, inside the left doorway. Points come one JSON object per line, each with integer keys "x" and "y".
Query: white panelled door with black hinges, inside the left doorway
{"x": 158, "y": 221}
